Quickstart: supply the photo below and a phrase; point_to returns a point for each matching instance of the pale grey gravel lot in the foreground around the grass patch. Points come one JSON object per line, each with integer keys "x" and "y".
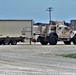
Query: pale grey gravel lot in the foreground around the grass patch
{"x": 37, "y": 60}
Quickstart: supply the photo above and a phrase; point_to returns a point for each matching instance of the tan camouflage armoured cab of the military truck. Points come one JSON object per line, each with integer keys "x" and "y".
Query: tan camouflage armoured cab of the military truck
{"x": 64, "y": 32}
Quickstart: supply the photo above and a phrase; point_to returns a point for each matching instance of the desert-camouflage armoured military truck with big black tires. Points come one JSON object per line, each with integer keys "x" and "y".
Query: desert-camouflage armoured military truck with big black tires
{"x": 54, "y": 33}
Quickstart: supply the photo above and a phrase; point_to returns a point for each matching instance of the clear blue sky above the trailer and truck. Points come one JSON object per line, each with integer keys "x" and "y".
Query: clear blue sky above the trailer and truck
{"x": 36, "y": 9}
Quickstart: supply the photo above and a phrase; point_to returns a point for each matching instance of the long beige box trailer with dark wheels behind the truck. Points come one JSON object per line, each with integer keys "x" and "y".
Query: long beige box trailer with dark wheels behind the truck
{"x": 13, "y": 31}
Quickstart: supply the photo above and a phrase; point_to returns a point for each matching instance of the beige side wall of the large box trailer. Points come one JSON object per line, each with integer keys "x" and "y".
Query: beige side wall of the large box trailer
{"x": 13, "y": 28}
